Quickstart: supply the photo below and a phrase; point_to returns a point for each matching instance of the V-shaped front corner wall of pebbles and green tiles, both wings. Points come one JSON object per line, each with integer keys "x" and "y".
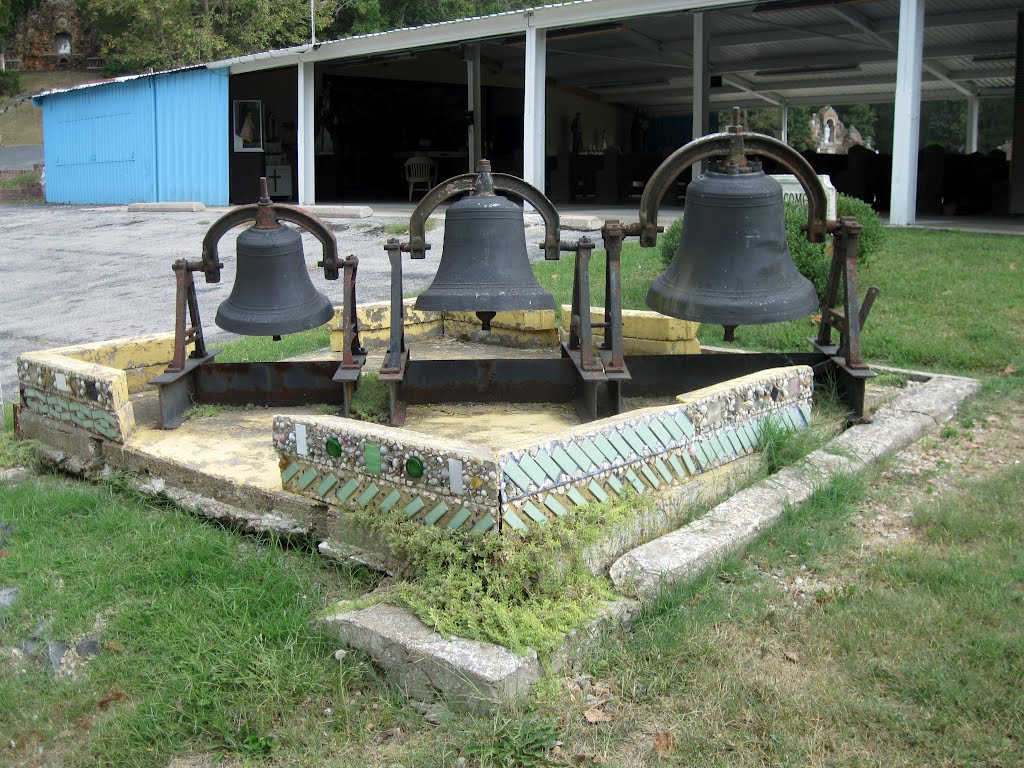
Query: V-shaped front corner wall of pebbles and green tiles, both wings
{"x": 465, "y": 487}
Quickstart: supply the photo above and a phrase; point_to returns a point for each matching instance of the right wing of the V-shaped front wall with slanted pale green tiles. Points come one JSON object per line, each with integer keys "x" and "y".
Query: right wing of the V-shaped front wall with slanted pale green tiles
{"x": 652, "y": 450}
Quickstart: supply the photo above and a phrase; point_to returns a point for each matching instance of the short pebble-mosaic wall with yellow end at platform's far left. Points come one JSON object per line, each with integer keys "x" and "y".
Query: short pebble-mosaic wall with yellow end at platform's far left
{"x": 88, "y": 396}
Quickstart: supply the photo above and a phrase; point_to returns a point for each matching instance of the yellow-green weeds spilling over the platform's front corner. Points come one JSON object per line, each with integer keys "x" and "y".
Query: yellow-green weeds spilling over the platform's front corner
{"x": 521, "y": 591}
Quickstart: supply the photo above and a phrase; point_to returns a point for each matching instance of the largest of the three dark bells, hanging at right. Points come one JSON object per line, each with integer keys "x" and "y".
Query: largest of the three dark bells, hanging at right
{"x": 734, "y": 266}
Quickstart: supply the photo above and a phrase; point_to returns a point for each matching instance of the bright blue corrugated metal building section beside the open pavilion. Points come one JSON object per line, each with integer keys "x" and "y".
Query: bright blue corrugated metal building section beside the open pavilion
{"x": 145, "y": 139}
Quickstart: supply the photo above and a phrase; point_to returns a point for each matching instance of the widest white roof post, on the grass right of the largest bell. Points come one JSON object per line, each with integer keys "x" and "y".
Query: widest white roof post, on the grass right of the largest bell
{"x": 907, "y": 126}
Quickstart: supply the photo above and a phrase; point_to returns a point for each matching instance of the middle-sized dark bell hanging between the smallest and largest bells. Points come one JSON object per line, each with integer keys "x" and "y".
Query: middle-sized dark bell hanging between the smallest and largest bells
{"x": 485, "y": 268}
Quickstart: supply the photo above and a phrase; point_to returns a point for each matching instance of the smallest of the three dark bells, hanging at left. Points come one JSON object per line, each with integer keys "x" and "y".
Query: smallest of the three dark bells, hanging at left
{"x": 273, "y": 294}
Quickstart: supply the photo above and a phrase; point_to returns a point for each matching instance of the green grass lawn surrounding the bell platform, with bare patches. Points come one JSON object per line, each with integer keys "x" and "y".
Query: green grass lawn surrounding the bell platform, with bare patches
{"x": 910, "y": 655}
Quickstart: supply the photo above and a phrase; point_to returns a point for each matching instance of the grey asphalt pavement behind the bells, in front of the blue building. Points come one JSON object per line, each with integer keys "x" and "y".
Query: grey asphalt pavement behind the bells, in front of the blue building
{"x": 71, "y": 275}
